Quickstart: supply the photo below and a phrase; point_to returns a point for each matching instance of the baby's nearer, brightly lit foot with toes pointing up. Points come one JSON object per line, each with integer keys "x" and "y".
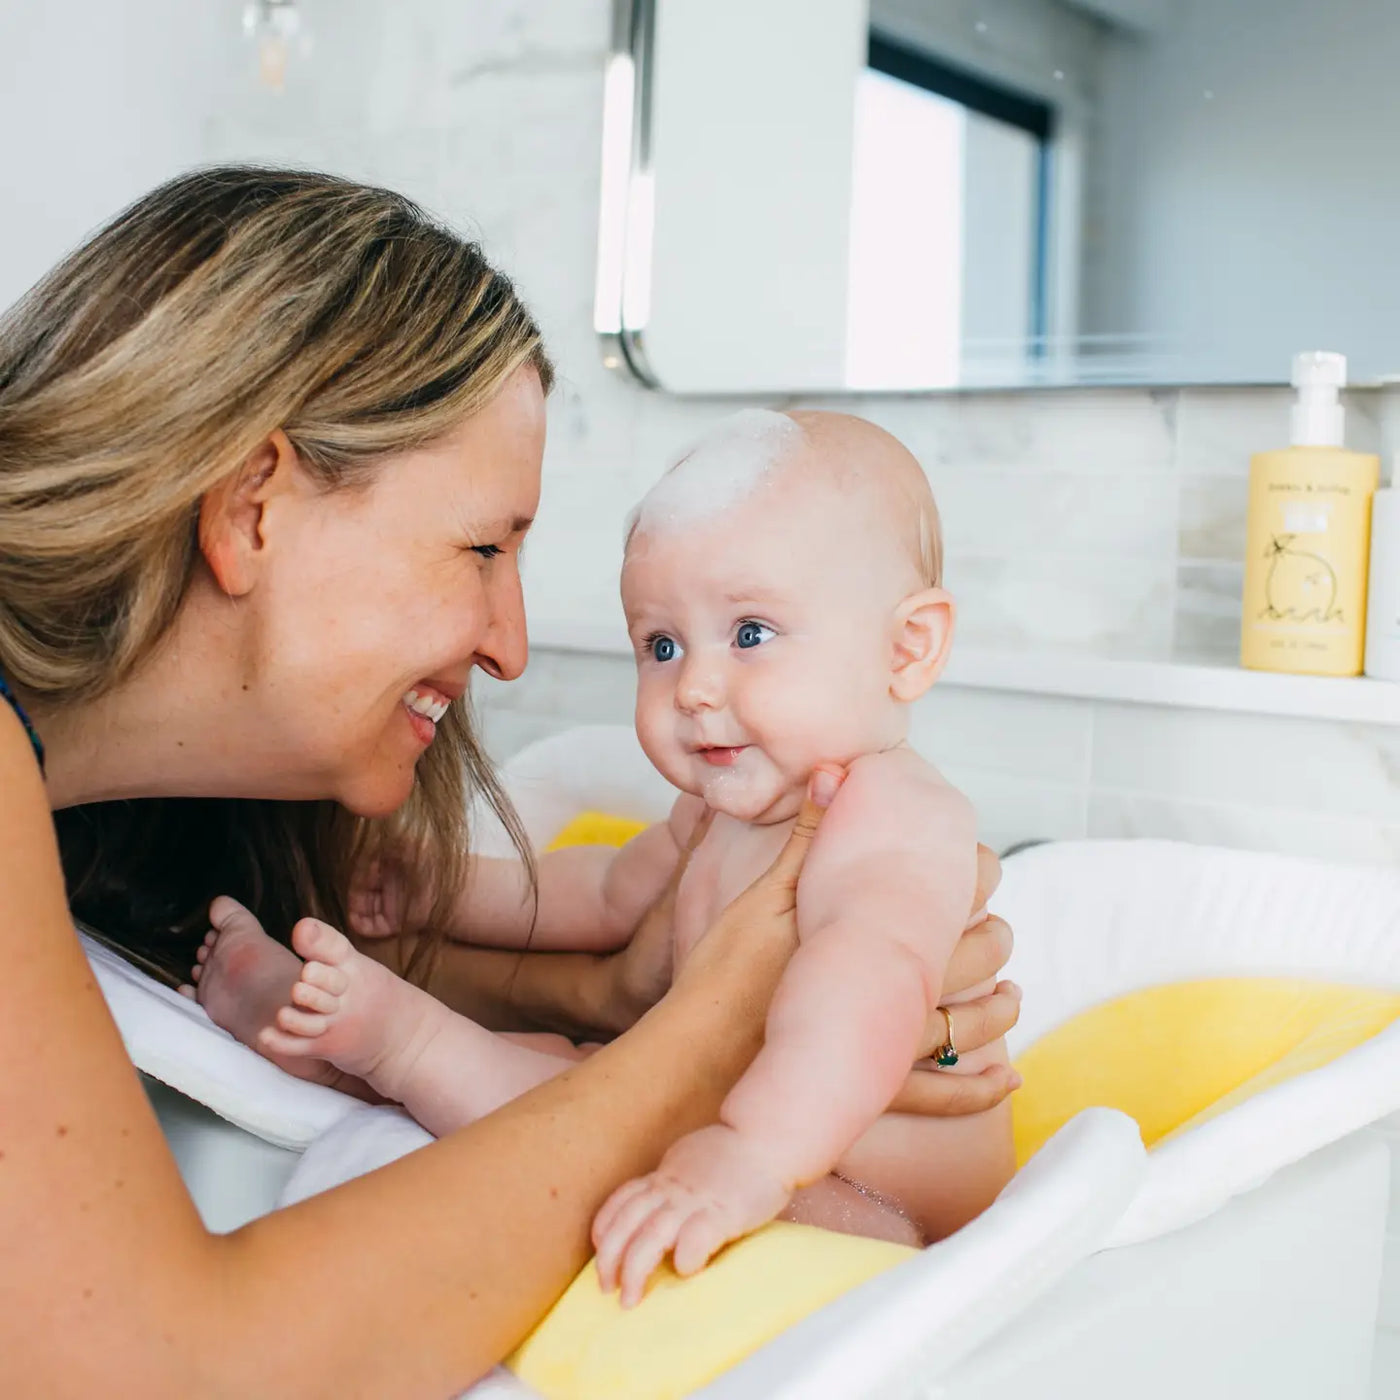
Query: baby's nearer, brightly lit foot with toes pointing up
{"x": 346, "y": 1009}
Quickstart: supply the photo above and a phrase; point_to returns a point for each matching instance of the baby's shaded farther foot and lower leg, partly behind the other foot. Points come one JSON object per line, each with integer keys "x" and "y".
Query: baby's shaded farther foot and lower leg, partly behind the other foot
{"x": 243, "y": 979}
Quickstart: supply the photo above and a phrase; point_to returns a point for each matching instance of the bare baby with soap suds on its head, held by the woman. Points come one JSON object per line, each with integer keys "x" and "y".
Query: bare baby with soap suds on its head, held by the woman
{"x": 782, "y": 590}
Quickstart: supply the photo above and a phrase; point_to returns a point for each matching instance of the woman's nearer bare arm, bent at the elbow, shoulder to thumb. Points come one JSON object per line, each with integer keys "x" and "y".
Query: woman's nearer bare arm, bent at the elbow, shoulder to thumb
{"x": 409, "y": 1282}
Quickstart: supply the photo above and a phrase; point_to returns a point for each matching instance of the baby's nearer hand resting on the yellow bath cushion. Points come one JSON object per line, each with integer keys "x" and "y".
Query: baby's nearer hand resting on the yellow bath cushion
{"x": 712, "y": 1188}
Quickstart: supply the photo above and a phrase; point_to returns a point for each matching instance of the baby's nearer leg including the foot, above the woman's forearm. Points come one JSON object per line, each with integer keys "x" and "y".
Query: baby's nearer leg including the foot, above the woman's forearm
{"x": 446, "y": 1070}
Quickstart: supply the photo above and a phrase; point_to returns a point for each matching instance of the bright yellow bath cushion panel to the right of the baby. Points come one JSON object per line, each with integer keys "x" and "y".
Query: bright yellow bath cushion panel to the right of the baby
{"x": 1178, "y": 1055}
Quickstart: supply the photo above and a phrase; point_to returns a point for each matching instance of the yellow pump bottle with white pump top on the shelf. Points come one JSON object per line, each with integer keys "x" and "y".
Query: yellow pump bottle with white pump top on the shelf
{"x": 1308, "y": 537}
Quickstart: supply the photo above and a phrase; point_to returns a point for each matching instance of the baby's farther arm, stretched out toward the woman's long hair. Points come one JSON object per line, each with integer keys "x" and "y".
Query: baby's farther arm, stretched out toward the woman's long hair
{"x": 591, "y": 898}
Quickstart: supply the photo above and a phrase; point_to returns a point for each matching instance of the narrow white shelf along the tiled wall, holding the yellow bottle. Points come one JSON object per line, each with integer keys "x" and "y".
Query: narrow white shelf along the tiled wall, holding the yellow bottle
{"x": 1193, "y": 685}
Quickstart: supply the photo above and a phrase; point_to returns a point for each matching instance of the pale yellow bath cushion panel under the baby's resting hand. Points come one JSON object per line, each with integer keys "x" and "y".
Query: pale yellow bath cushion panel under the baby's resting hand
{"x": 688, "y": 1332}
